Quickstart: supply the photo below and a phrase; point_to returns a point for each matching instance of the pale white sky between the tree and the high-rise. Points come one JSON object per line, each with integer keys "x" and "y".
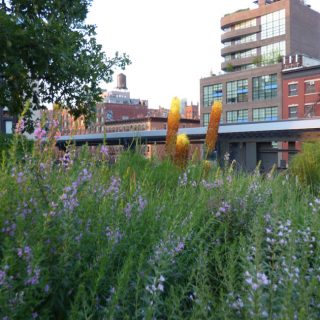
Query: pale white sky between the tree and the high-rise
{"x": 172, "y": 43}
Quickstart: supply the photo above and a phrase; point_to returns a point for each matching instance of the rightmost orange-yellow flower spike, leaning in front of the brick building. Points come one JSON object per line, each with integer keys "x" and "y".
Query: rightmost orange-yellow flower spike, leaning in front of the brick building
{"x": 213, "y": 127}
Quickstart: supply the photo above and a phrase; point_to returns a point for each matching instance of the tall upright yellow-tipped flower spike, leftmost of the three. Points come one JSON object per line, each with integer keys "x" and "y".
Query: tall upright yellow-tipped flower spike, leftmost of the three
{"x": 173, "y": 126}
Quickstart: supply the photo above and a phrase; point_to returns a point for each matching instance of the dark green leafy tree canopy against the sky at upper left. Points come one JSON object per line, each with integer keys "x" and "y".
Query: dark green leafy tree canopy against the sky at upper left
{"x": 48, "y": 54}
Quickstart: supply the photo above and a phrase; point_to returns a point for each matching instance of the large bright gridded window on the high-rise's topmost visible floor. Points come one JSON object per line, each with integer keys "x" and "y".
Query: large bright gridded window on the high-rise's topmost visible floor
{"x": 273, "y": 24}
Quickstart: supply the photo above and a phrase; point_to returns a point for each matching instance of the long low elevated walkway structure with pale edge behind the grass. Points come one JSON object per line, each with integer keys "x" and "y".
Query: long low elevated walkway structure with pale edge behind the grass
{"x": 246, "y": 142}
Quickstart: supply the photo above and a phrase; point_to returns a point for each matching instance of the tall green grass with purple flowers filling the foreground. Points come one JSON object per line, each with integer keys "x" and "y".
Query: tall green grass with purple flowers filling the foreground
{"x": 81, "y": 239}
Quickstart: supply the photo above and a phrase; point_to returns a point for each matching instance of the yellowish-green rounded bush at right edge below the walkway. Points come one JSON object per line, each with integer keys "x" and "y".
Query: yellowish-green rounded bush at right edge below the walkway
{"x": 306, "y": 165}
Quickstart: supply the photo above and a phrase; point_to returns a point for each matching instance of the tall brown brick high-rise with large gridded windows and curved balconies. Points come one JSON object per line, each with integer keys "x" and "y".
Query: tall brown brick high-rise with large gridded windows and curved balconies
{"x": 254, "y": 42}
